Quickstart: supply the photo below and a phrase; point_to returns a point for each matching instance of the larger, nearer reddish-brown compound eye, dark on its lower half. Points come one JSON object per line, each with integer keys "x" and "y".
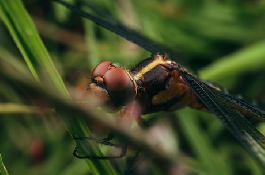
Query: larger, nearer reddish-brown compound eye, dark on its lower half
{"x": 120, "y": 86}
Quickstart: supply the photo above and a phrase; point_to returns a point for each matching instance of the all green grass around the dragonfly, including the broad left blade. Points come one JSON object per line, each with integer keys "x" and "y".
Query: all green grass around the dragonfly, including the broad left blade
{"x": 43, "y": 46}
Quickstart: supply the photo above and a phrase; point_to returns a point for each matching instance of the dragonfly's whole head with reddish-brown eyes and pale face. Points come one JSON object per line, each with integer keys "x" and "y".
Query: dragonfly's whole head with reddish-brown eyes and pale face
{"x": 114, "y": 85}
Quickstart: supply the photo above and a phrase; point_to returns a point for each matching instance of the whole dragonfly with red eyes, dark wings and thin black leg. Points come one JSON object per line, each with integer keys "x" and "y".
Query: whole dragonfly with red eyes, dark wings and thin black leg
{"x": 159, "y": 83}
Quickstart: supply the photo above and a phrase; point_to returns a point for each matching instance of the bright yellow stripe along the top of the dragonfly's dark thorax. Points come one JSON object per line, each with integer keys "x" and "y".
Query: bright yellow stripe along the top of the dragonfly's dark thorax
{"x": 158, "y": 60}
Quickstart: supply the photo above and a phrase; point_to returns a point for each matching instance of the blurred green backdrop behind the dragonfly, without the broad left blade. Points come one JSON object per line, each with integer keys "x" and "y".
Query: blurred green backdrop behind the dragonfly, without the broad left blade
{"x": 222, "y": 41}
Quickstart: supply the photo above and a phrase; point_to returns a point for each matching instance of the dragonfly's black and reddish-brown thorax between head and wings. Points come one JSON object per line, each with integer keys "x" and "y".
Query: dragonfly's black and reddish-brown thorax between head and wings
{"x": 162, "y": 88}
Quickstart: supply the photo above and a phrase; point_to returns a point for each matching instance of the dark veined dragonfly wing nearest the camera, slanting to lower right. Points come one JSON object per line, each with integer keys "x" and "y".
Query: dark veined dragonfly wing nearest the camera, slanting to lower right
{"x": 236, "y": 123}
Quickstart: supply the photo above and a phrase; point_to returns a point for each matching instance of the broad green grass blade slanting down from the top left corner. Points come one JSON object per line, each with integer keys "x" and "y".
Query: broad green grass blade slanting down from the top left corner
{"x": 38, "y": 60}
